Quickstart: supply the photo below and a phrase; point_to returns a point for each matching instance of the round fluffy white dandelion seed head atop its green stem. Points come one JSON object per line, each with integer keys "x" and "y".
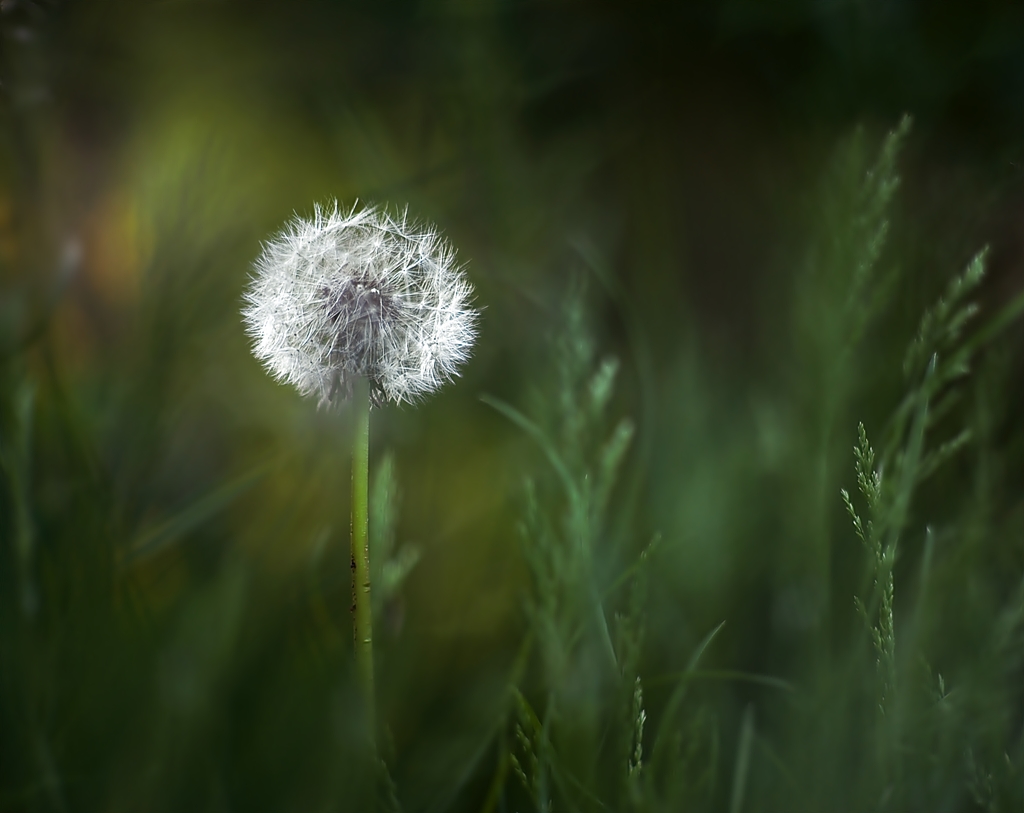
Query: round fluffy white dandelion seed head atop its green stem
{"x": 363, "y": 294}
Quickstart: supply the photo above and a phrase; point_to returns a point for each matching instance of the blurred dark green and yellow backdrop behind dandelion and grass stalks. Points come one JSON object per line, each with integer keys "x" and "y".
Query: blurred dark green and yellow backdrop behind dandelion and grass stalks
{"x": 175, "y": 578}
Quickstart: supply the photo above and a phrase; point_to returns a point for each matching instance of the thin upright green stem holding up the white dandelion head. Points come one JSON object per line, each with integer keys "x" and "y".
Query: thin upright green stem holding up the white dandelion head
{"x": 362, "y": 609}
